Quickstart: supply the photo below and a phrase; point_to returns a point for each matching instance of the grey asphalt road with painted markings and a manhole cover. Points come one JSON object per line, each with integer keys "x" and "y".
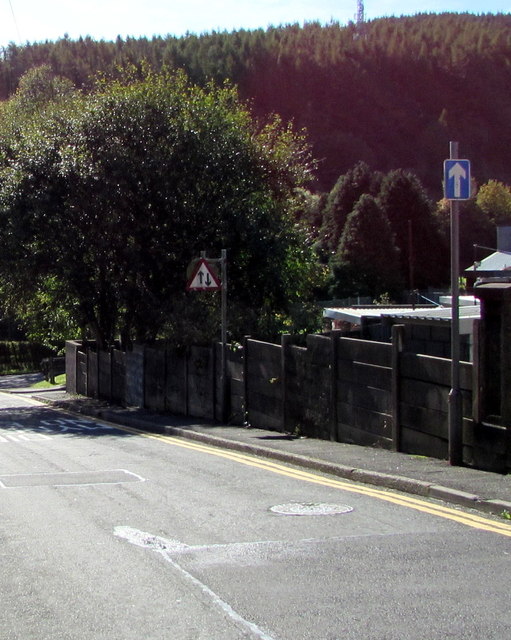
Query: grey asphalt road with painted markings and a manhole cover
{"x": 112, "y": 533}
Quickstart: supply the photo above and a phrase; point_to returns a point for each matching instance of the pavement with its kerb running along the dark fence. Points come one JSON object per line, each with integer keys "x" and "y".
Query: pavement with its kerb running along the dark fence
{"x": 418, "y": 475}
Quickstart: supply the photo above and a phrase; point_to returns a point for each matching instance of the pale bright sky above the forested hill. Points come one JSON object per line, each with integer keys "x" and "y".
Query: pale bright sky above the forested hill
{"x": 32, "y": 21}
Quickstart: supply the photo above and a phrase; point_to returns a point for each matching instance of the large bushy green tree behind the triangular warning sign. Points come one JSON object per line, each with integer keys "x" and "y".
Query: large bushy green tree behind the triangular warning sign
{"x": 111, "y": 194}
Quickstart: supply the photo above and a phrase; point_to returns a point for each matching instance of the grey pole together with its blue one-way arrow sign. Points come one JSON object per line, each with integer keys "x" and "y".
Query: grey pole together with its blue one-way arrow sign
{"x": 456, "y": 188}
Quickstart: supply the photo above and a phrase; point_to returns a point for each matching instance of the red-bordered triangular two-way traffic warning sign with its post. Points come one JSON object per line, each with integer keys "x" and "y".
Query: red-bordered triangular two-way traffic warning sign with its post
{"x": 203, "y": 278}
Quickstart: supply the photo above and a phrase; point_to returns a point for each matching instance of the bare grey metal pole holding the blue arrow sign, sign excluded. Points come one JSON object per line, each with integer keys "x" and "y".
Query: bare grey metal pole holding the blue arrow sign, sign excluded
{"x": 455, "y": 413}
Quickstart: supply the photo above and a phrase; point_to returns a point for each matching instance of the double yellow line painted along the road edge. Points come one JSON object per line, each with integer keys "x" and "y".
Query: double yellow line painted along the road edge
{"x": 468, "y": 519}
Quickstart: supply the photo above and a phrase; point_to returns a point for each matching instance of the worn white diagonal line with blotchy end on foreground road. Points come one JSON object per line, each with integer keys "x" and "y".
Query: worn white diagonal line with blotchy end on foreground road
{"x": 164, "y": 548}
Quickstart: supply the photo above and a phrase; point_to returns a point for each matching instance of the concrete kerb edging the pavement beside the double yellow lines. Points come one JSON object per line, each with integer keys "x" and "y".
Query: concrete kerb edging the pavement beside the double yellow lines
{"x": 387, "y": 481}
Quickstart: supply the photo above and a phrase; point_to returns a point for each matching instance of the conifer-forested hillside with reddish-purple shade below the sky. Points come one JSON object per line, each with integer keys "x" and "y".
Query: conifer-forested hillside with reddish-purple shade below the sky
{"x": 391, "y": 92}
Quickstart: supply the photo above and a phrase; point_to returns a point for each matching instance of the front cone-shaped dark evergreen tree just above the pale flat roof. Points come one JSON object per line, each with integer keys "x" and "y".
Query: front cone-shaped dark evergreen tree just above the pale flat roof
{"x": 367, "y": 262}
